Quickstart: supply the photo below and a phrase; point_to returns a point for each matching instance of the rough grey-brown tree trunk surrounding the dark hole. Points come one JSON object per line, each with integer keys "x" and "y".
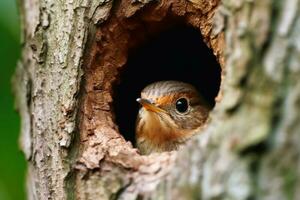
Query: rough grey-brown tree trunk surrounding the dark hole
{"x": 72, "y": 55}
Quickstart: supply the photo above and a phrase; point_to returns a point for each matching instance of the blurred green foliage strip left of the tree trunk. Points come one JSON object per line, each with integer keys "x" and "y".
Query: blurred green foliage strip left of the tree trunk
{"x": 12, "y": 163}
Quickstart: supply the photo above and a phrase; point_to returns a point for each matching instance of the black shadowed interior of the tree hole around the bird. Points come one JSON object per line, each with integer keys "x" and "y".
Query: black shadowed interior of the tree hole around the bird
{"x": 178, "y": 53}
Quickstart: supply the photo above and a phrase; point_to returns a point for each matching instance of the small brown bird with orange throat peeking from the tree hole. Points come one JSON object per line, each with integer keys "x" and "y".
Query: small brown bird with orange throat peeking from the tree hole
{"x": 171, "y": 112}
